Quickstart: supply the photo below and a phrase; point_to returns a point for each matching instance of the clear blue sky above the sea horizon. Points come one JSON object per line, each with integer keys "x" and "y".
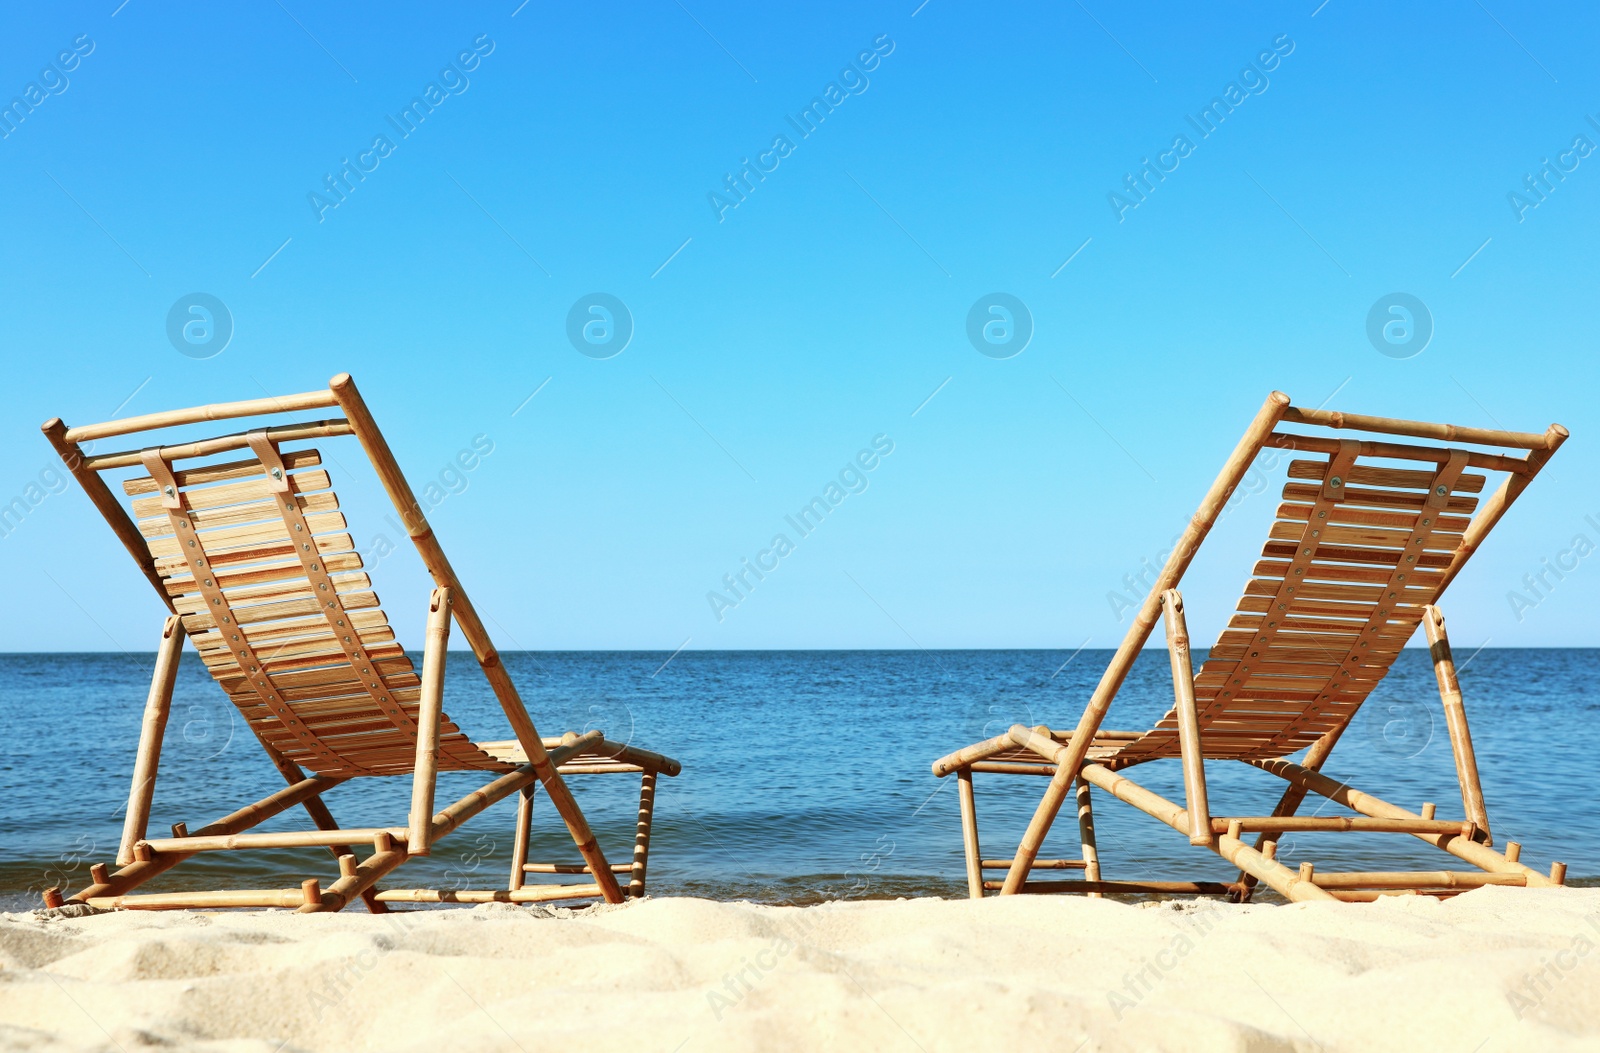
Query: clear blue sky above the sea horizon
{"x": 780, "y": 322}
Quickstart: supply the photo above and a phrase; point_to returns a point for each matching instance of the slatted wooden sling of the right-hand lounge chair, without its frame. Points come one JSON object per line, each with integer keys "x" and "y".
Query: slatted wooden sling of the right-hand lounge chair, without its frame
{"x": 1356, "y": 553}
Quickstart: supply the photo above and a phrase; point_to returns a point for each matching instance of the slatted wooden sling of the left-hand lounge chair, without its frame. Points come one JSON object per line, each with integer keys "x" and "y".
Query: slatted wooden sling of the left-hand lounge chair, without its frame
{"x": 257, "y": 561}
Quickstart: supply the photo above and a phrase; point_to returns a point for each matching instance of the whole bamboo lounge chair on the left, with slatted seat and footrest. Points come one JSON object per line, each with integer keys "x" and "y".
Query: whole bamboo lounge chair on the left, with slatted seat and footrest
{"x": 254, "y": 561}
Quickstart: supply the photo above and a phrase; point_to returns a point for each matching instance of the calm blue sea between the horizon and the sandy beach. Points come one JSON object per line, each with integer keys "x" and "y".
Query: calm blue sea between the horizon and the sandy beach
{"x": 806, "y": 774}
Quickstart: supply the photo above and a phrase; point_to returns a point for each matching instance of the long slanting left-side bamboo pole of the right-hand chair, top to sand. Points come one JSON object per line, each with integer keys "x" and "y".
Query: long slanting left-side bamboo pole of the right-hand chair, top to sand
{"x": 1212, "y": 506}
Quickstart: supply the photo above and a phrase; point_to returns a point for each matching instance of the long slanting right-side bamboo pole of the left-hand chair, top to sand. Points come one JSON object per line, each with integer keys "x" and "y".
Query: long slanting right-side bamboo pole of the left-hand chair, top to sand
{"x": 438, "y": 564}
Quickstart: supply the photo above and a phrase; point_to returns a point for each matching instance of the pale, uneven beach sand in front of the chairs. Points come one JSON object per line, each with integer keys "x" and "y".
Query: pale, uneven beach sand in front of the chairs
{"x": 1498, "y": 969}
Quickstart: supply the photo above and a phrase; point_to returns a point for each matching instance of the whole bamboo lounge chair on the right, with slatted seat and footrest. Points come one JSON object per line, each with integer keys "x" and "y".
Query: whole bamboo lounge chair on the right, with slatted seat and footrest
{"x": 1358, "y": 556}
